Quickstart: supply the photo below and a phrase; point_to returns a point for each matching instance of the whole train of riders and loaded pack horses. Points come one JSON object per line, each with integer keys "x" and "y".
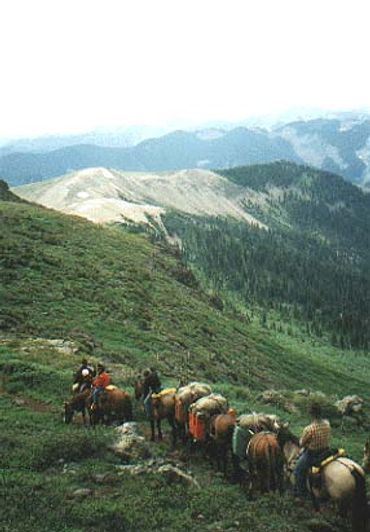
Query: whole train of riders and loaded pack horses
{"x": 261, "y": 451}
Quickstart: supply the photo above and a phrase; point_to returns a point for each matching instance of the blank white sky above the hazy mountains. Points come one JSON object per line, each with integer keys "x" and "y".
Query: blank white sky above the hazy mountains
{"x": 70, "y": 66}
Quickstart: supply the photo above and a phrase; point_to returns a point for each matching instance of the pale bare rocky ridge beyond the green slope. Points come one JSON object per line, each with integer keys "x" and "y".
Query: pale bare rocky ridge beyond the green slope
{"x": 103, "y": 195}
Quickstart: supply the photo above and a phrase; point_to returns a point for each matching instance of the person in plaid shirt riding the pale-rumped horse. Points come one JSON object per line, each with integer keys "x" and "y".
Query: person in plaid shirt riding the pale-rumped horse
{"x": 314, "y": 440}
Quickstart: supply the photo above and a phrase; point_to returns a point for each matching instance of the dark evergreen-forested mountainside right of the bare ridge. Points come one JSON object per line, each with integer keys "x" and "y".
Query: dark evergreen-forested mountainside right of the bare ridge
{"x": 313, "y": 261}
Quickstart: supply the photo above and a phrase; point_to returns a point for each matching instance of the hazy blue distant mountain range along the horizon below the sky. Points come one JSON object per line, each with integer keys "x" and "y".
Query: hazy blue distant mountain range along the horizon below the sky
{"x": 340, "y": 145}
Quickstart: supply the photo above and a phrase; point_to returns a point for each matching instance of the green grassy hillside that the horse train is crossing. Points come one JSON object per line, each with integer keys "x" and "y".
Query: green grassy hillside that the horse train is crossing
{"x": 131, "y": 303}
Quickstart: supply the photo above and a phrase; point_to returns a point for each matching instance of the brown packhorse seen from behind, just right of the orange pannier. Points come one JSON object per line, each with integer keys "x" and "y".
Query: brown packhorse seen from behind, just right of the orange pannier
{"x": 221, "y": 430}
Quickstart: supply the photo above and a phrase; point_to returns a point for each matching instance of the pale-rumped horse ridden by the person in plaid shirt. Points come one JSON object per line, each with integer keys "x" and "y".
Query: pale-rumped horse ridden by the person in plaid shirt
{"x": 341, "y": 480}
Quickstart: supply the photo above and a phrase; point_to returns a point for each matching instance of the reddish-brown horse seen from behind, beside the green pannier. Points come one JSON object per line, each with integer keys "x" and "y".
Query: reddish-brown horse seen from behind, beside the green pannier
{"x": 266, "y": 462}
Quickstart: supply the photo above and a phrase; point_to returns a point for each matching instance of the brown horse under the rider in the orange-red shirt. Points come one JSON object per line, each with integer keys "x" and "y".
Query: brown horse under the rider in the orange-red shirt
{"x": 113, "y": 405}
